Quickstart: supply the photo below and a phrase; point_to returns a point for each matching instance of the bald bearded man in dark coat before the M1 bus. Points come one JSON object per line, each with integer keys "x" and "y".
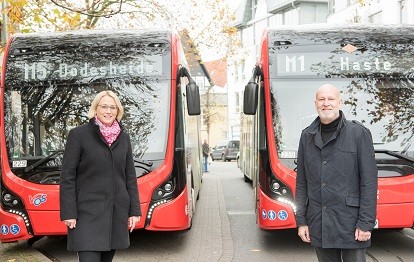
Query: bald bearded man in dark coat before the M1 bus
{"x": 337, "y": 180}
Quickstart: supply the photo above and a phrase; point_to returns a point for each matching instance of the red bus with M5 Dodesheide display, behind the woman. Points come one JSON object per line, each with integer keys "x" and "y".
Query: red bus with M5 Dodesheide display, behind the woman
{"x": 48, "y": 82}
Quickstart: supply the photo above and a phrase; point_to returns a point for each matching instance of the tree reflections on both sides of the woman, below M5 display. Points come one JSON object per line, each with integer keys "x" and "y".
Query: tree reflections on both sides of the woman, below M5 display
{"x": 38, "y": 119}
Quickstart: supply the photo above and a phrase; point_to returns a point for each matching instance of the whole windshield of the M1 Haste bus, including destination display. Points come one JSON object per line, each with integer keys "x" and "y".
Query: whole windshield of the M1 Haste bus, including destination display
{"x": 375, "y": 78}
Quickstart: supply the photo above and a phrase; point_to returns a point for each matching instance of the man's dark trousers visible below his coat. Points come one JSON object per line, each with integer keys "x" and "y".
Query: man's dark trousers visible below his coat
{"x": 339, "y": 255}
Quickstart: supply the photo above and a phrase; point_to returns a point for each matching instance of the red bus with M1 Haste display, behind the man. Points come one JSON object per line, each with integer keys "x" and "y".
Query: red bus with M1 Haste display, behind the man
{"x": 374, "y": 69}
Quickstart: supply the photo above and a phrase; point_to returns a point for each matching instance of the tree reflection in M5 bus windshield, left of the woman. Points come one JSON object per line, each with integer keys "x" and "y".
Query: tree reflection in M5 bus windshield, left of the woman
{"x": 37, "y": 118}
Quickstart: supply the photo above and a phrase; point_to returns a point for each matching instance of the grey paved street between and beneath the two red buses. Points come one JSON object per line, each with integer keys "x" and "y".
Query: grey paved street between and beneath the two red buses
{"x": 224, "y": 229}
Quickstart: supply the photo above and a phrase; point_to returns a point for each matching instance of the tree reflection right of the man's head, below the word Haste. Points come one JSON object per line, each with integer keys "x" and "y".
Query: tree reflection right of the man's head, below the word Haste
{"x": 391, "y": 102}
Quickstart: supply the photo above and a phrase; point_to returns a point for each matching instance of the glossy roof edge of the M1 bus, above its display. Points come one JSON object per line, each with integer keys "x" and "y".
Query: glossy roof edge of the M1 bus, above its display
{"x": 329, "y": 33}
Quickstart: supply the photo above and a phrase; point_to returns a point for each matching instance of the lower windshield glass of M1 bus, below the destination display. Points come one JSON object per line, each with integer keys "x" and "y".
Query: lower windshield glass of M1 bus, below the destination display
{"x": 384, "y": 106}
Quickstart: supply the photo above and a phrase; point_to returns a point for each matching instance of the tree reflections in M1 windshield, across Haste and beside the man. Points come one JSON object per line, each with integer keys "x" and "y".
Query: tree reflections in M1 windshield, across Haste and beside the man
{"x": 391, "y": 90}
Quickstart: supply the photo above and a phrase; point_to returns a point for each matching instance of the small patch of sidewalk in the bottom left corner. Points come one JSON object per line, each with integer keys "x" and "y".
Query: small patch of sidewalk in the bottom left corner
{"x": 20, "y": 252}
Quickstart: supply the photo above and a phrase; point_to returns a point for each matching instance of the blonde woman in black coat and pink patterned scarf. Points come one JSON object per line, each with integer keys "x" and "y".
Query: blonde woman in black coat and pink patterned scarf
{"x": 98, "y": 187}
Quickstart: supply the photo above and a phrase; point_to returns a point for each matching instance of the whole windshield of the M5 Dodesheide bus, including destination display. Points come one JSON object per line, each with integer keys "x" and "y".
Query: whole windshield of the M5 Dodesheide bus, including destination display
{"x": 50, "y": 84}
